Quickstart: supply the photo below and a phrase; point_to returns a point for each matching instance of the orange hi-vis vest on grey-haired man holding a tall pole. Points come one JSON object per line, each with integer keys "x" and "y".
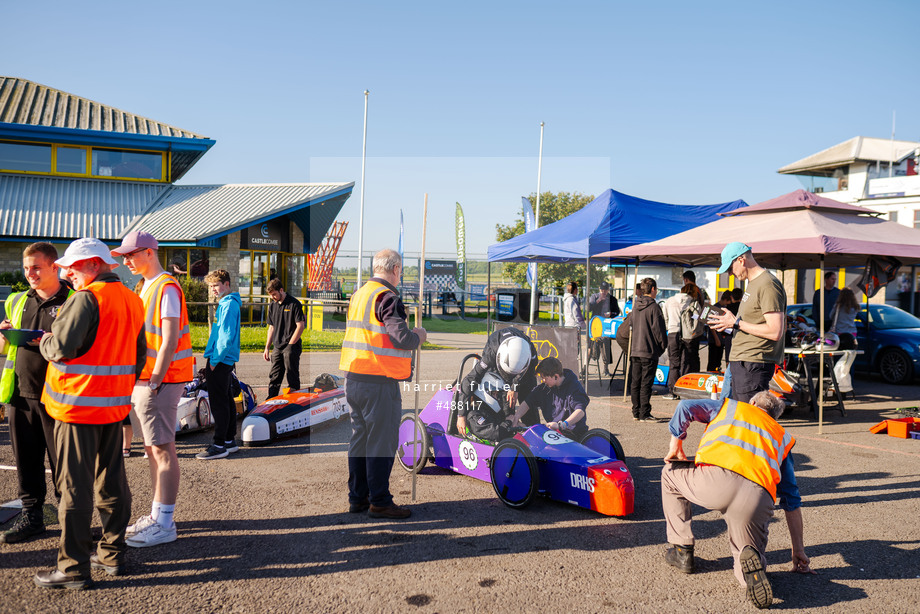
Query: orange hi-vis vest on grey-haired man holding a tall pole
{"x": 367, "y": 348}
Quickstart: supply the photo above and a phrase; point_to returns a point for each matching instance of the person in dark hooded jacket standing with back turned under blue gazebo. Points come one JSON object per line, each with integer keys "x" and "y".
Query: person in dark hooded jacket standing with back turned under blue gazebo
{"x": 648, "y": 339}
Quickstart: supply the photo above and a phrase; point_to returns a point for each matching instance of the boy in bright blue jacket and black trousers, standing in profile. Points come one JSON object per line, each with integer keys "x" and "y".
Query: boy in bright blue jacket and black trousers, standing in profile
{"x": 222, "y": 352}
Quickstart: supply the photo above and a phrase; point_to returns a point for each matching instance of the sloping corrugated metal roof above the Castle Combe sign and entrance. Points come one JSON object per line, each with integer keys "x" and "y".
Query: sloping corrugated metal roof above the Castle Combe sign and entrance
{"x": 195, "y": 213}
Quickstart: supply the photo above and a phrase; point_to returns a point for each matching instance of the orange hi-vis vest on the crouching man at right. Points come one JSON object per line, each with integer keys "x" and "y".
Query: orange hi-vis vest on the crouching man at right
{"x": 746, "y": 440}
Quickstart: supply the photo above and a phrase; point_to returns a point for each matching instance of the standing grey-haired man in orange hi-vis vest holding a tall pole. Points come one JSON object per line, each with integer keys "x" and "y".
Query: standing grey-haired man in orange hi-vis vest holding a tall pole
{"x": 376, "y": 356}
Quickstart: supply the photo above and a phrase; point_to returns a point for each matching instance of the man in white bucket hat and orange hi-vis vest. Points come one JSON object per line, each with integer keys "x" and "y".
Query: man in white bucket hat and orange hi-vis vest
{"x": 96, "y": 351}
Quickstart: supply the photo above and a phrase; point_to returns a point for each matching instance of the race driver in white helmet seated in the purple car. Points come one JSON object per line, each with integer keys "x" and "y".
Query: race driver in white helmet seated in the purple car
{"x": 505, "y": 374}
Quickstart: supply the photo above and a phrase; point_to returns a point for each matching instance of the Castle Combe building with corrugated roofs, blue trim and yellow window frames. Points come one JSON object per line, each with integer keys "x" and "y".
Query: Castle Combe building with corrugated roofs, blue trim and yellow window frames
{"x": 72, "y": 167}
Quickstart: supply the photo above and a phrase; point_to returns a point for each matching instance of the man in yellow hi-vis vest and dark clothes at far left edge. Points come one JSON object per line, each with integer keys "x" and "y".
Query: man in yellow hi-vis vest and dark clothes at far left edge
{"x": 31, "y": 428}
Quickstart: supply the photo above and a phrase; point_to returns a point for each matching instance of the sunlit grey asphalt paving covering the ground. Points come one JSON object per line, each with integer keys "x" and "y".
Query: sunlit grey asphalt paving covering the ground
{"x": 267, "y": 529}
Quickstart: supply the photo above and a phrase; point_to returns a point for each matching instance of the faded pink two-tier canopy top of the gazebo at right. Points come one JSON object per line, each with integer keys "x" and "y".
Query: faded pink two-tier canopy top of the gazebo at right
{"x": 796, "y": 230}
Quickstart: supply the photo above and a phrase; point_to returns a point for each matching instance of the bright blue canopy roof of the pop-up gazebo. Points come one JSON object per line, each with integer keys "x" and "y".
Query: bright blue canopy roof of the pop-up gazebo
{"x": 611, "y": 221}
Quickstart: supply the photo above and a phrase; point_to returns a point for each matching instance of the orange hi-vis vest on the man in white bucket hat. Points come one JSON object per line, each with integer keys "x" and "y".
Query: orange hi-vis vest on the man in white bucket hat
{"x": 95, "y": 388}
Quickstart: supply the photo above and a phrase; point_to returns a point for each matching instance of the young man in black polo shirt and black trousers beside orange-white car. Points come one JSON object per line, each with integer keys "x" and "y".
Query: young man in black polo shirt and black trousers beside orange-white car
{"x": 285, "y": 326}
